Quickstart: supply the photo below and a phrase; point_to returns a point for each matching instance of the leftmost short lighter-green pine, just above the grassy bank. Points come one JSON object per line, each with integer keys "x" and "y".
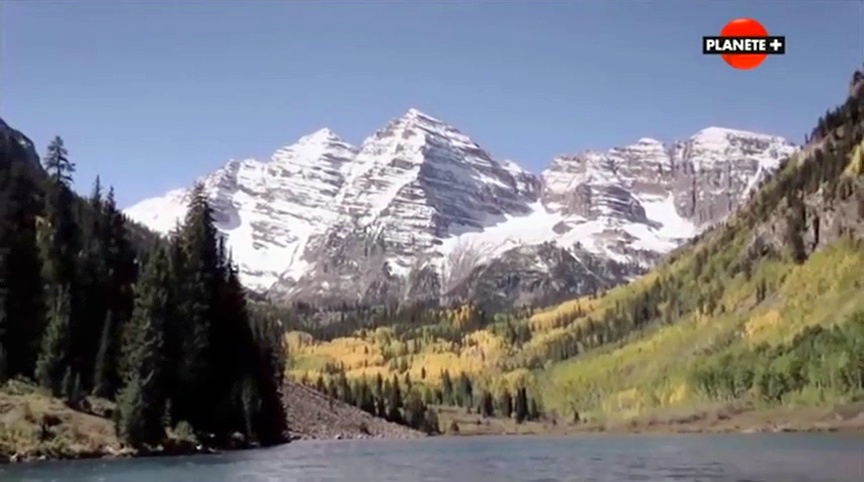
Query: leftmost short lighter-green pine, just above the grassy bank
{"x": 54, "y": 356}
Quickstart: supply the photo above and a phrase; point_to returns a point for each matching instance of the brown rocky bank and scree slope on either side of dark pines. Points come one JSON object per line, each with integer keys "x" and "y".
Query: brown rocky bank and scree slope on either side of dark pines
{"x": 35, "y": 426}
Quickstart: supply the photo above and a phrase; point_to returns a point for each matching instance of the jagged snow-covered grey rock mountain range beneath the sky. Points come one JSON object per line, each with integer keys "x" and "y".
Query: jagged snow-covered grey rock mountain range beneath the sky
{"x": 421, "y": 210}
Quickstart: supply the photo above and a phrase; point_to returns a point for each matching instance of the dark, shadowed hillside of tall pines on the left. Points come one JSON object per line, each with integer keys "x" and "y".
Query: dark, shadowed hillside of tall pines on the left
{"x": 94, "y": 307}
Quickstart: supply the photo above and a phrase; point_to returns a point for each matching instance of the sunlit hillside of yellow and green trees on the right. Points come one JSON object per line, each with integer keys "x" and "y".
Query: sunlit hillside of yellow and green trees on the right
{"x": 764, "y": 311}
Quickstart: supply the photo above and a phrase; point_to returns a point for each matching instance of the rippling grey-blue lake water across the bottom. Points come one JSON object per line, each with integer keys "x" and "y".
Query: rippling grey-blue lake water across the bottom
{"x": 597, "y": 458}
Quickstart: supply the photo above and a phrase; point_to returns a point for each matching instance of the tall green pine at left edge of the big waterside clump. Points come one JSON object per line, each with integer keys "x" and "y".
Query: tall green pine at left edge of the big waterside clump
{"x": 141, "y": 400}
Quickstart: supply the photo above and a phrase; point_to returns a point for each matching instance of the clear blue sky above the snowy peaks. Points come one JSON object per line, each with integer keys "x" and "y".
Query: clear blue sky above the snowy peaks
{"x": 150, "y": 95}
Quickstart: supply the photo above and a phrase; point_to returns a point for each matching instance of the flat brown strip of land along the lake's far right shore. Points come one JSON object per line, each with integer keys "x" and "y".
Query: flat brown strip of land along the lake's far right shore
{"x": 844, "y": 418}
